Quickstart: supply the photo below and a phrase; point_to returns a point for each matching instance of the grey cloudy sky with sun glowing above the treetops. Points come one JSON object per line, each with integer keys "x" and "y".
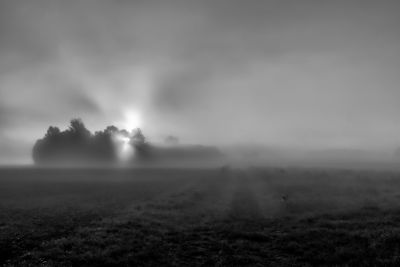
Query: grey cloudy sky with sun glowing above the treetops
{"x": 318, "y": 74}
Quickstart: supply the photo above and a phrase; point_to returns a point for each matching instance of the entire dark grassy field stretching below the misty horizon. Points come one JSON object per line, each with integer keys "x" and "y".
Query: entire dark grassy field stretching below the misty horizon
{"x": 199, "y": 217}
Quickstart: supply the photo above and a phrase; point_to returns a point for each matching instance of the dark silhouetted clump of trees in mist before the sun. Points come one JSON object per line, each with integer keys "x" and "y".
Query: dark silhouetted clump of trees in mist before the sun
{"x": 77, "y": 145}
